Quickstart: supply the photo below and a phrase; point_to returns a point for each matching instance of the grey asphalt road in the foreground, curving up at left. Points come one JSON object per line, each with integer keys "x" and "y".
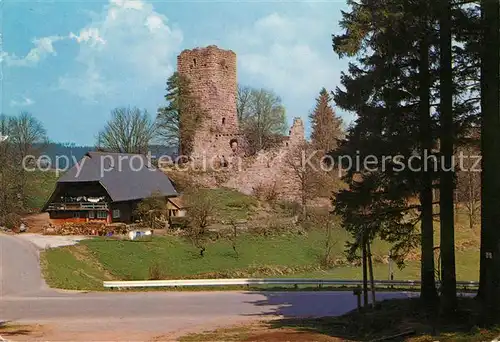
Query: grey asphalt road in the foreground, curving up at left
{"x": 25, "y": 298}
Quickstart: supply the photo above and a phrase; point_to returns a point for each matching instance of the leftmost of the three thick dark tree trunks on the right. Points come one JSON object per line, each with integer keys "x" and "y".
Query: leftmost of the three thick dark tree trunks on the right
{"x": 428, "y": 291}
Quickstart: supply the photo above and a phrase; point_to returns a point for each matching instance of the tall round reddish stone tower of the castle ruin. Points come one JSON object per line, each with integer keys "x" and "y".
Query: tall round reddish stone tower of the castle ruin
{"x": 212, "y": 75}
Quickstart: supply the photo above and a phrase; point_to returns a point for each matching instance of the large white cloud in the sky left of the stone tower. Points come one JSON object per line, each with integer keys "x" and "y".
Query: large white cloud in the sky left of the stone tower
{"x": 129, "y": 47}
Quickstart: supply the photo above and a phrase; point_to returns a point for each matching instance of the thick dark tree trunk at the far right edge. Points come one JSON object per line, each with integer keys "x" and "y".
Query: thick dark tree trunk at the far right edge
{"x": 489, "y": 290}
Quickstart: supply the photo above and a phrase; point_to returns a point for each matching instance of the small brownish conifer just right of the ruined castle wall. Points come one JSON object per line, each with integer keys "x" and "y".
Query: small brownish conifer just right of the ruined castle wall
{"x": 326, "y": 126}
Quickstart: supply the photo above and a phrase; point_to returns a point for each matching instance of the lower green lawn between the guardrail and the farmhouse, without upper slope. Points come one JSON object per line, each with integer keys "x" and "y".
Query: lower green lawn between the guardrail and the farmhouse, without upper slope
{"x": 289, "y": 255}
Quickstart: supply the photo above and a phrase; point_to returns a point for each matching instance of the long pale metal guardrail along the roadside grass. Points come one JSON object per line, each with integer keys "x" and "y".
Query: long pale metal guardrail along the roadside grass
{"x": 270, "y": 281}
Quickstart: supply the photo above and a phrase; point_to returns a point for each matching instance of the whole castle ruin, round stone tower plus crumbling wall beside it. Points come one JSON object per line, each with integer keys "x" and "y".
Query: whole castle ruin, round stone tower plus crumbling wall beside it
{"x": 212, "y": 75}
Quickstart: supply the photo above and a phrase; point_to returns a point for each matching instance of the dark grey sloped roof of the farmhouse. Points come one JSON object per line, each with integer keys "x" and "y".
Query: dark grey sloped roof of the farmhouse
{"x": 124, "y": 176}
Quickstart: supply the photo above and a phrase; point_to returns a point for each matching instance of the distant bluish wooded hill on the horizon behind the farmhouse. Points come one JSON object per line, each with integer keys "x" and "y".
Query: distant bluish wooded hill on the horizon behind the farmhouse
{"x": 58, "y": 152}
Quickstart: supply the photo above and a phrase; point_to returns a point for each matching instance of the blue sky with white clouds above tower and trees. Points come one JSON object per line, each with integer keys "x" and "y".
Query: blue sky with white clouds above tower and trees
{"x": 69, "y": 63}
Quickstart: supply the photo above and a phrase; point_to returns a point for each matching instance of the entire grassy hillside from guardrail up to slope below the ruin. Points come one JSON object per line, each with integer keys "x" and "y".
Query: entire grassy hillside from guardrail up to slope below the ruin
{"x": 285, "y": 253}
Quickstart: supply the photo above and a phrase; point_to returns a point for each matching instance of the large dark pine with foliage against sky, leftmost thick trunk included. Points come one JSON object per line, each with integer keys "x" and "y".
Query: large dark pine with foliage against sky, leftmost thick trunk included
{"x": 391, "y": 91}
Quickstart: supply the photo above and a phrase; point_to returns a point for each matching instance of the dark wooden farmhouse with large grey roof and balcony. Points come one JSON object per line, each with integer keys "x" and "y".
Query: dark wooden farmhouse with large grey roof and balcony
{"x": 106, "y": 187}
